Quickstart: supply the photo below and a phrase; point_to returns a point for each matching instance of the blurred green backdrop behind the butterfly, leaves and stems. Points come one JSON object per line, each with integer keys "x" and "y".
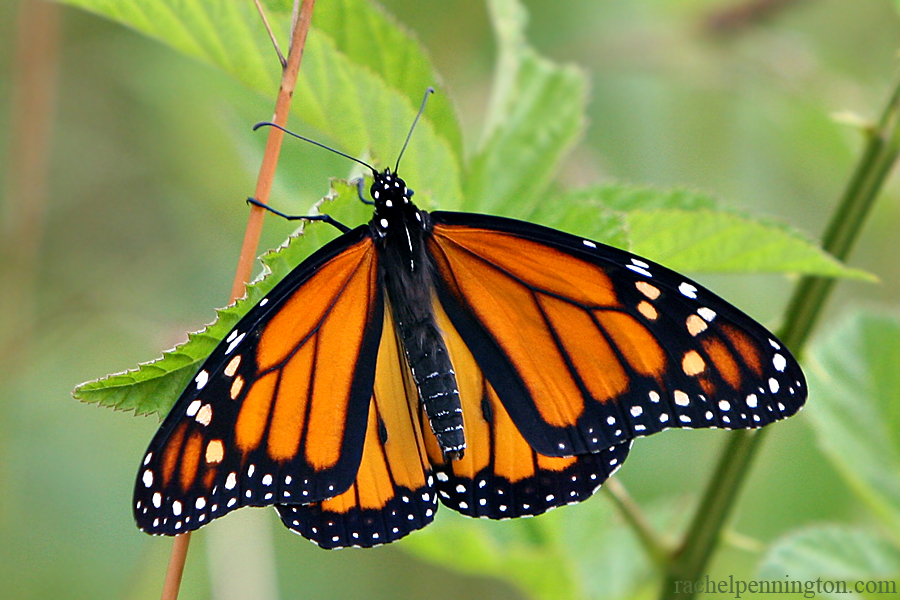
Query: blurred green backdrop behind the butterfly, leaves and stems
{"x": 151, "y": 159}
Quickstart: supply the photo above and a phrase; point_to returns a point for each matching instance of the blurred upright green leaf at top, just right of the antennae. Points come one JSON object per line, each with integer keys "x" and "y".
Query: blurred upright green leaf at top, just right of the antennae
{"x": 536, "y": 115}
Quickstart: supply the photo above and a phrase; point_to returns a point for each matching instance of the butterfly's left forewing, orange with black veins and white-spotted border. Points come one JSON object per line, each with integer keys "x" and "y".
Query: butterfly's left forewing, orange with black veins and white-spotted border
{"x": 263, "y": 421}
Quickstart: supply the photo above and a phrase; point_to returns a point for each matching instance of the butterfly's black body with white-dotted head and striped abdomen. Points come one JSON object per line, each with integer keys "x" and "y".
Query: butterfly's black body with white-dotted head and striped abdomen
{"x": 400, "y": 230}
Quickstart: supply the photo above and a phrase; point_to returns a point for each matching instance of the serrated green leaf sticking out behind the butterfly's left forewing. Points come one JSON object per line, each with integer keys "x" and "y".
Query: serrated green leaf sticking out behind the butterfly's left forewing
{"x": 156, "y": 385}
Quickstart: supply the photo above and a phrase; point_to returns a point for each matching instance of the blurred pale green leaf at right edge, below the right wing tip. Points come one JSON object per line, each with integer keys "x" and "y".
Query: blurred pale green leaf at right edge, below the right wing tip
{"x": 854, "y": 379}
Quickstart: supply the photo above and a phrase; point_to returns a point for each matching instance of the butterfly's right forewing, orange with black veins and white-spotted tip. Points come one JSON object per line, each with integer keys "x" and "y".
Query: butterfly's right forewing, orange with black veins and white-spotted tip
{"x": 587, "y": 345}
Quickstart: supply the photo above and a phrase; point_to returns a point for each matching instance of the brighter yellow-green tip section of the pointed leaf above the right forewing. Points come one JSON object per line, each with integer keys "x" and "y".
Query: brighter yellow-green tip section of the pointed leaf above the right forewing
{"x": 716, "y": 241}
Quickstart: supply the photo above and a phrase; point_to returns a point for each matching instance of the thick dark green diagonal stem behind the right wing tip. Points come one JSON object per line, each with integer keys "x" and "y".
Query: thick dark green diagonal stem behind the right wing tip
{"x": 804, "y": 308}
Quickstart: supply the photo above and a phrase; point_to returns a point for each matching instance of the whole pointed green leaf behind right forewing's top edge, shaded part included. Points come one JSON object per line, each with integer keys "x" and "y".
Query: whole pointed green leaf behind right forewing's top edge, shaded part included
{"x": 687, "y": 231}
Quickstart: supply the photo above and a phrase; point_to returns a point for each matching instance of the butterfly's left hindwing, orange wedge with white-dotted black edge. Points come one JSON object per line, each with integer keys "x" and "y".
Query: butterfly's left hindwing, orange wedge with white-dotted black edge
{"x": 393, "y": 493}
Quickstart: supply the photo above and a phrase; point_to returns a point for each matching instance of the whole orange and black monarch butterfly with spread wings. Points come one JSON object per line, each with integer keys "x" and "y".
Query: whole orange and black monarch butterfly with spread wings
{"x": 497, "y": 365}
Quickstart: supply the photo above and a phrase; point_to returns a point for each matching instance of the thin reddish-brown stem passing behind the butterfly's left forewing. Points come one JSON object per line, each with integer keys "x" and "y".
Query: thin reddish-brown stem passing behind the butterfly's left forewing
{"x": 254, "y": 229}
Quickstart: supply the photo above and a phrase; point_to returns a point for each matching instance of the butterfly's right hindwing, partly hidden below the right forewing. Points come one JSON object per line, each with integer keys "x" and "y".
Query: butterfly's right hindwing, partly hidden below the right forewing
{"x": 500, "y": 475}
